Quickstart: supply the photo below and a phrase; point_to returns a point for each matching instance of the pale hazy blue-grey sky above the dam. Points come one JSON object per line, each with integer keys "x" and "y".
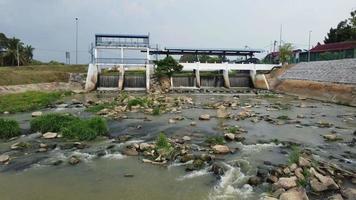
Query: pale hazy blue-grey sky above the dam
{"x": 49, "y": 25}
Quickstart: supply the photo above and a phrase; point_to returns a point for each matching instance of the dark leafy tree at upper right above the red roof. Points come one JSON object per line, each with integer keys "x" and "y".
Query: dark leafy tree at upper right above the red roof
{"x": 345, "y": 31}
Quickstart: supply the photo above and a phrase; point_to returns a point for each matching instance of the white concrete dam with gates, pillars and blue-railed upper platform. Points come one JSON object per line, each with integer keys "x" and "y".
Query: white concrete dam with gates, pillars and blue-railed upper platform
{"x": 123, "y": 62}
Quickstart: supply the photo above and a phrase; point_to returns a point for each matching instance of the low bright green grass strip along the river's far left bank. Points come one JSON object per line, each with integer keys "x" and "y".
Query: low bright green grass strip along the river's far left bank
{"x": 28, "y": 101}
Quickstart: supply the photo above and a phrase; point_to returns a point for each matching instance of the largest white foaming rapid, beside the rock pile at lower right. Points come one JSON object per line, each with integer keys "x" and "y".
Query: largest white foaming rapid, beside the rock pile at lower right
{"x": 231, "y": 186}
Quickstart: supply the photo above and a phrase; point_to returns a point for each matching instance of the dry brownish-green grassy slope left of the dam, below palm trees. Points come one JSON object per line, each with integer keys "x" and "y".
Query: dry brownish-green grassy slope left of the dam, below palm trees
{"x": 38, "y": 74}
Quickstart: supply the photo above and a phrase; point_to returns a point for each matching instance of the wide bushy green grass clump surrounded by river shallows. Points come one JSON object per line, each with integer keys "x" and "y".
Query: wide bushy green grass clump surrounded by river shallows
{"x": 70, "y": 126}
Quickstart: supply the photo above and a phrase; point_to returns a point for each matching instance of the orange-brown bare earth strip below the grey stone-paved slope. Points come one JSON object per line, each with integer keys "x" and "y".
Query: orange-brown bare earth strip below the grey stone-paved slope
{"x": 324, "y": 91}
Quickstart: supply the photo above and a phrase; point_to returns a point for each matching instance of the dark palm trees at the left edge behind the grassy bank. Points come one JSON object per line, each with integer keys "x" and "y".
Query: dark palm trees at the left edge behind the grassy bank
{"x": 14, "y": 52}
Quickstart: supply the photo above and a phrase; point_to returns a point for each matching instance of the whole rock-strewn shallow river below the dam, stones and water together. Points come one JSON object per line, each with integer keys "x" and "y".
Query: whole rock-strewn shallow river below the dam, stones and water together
{"x": 188, "y": 146}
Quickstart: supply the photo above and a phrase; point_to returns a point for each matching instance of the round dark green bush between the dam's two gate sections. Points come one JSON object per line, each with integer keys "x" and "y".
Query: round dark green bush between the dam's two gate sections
{"x": 167, "y": 67}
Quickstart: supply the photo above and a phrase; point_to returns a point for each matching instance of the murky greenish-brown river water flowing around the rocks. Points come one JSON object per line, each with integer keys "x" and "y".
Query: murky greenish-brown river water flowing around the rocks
{"x": 115, "y": 176}
